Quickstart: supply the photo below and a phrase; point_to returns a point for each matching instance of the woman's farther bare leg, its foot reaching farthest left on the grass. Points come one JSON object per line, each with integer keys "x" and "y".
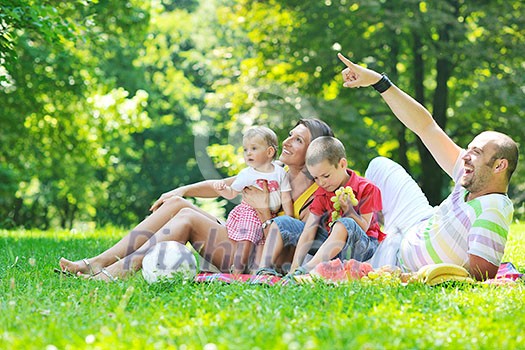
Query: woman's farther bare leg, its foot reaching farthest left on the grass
{"x": 134, "y": 239}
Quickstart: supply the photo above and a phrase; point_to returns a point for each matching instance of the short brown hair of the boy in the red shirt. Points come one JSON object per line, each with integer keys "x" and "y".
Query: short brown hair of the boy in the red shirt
{"x": 325, "y": 148}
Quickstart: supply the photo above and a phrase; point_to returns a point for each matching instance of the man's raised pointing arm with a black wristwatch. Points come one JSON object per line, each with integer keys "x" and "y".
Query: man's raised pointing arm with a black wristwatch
{"x": 410, "y": 112}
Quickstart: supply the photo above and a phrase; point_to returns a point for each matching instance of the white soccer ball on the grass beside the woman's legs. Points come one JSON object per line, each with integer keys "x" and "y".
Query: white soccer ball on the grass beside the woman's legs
{"x": 166, "y": 259}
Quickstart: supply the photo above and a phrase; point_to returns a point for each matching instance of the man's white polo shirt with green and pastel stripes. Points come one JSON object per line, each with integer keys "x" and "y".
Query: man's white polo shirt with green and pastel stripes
{"x": 459, "y": 228}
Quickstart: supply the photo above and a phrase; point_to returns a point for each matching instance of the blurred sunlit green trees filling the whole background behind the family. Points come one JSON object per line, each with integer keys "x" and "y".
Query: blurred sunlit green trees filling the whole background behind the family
{"x": 108, "y": 104}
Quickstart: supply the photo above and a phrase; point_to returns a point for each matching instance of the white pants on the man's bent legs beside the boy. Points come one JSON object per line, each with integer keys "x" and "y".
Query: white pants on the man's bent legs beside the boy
{"x": 404, "y": 205}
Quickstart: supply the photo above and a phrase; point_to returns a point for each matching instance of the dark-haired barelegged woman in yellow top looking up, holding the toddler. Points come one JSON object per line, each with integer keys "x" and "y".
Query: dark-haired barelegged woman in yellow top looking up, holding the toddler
{"x": 176, "y": 219}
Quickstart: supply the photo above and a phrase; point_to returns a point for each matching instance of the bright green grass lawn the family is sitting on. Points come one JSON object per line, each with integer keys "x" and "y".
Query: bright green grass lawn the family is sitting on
{"x": 42, "y": 310}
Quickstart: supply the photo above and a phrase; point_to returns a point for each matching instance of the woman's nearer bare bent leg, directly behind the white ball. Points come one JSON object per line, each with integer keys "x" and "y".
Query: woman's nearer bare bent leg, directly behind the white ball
{"x": 205, "y": 234}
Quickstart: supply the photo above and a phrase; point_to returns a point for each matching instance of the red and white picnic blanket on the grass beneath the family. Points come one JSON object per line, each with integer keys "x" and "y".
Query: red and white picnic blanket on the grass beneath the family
{"x": 507, "y": 272}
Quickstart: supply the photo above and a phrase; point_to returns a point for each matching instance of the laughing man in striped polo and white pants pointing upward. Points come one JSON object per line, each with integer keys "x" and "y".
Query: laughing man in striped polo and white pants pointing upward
{"x": 470, "y": 227}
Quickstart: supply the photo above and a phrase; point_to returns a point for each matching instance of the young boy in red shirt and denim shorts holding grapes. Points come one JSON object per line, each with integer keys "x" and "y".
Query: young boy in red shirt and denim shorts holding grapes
{"x": 353, "y": 232}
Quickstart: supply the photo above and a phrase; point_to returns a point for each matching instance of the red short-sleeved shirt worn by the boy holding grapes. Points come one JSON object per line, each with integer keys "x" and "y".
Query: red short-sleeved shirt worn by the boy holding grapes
{"x": 367, "y": 195}
